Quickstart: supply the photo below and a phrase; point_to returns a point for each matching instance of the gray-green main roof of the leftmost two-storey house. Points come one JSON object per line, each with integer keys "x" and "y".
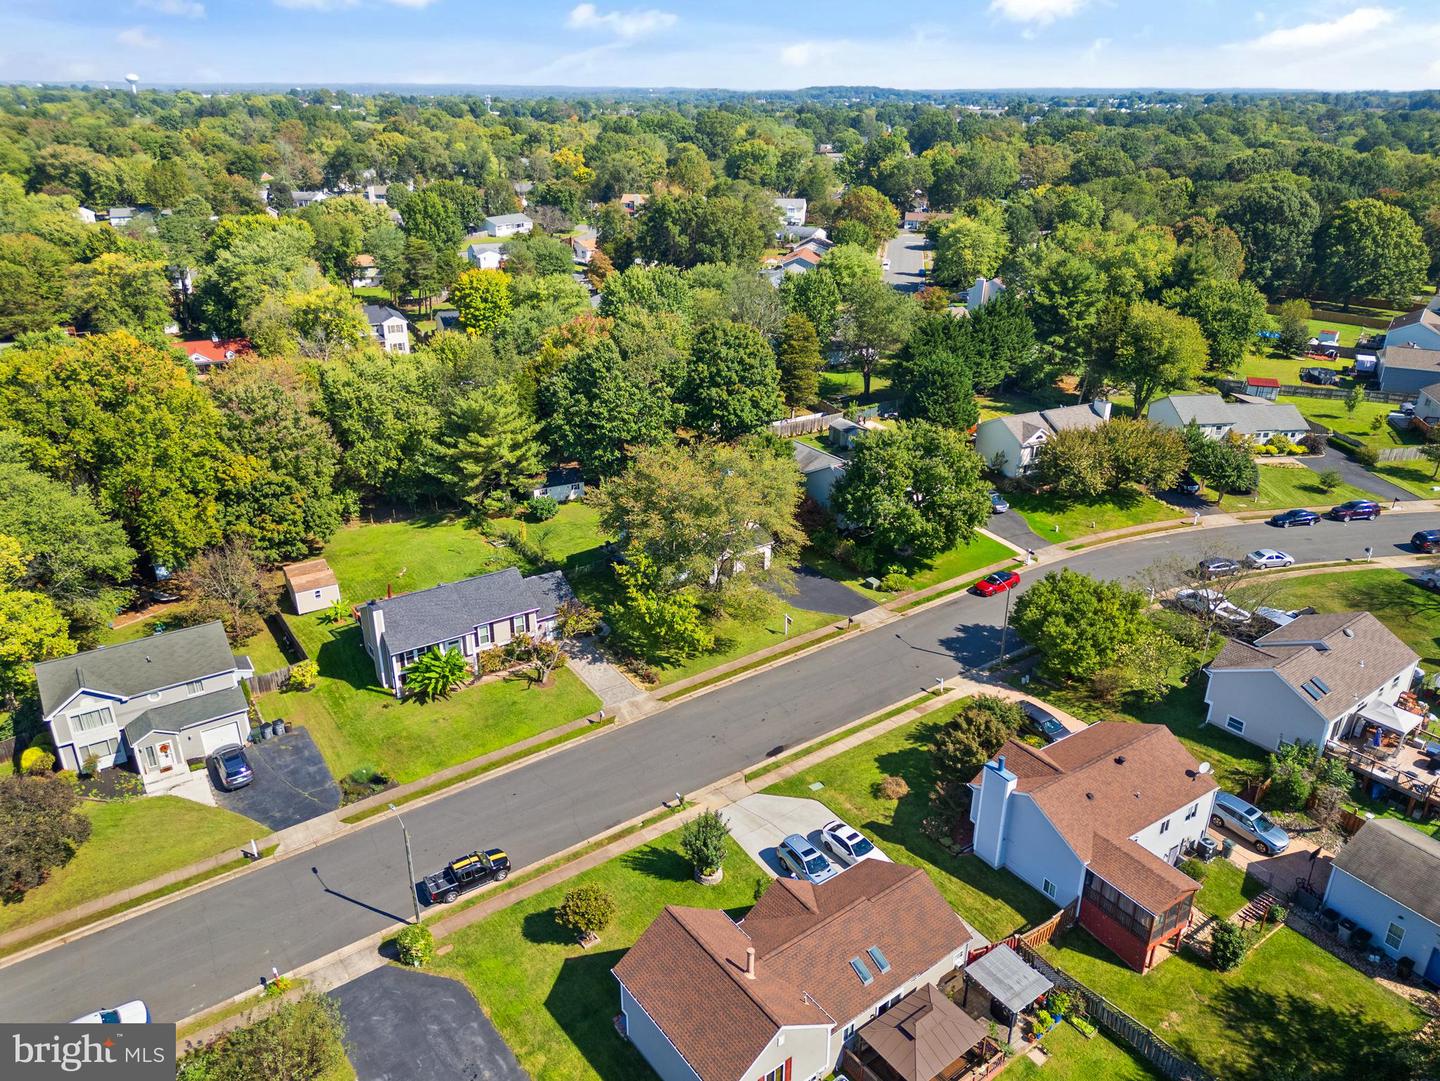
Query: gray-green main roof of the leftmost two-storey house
{"x": 139, "y": 667}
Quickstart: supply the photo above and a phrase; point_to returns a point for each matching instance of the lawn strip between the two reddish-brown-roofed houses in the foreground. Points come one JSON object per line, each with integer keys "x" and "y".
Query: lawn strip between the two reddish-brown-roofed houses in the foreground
{"x": 996, "y": 903}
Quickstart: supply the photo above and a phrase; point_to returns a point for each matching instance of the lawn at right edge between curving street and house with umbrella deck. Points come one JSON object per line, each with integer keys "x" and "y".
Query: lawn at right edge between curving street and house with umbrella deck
{"x": 1412, "y": 612}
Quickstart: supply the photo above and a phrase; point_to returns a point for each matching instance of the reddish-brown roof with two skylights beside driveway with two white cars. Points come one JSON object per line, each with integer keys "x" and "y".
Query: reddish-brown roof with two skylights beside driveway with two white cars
{"x": 688, "y": 969}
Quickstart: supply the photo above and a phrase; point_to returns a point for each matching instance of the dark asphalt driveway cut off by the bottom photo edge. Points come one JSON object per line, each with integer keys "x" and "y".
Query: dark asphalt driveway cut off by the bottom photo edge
{"x": 407, "y": 1026}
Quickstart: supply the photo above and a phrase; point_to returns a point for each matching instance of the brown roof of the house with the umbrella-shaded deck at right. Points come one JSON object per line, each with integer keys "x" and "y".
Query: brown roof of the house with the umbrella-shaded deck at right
{"x": 1353, "y": 653}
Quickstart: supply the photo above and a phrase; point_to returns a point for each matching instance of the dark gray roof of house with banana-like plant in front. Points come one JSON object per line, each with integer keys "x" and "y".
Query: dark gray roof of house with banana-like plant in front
{"x": 450, "y": 611}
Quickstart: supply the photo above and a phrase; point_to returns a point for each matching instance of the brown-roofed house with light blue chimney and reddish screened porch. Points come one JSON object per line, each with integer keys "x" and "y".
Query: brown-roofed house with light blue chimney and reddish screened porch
{"x": 1097, "y": 823}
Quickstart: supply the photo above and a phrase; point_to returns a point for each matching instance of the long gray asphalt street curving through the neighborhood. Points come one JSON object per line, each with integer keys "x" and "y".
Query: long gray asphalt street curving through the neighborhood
{"x": 202, "y": 949}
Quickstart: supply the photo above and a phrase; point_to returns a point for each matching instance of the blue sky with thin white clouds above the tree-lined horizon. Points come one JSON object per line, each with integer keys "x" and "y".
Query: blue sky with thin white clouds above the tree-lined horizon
{"x": 747, "y": 45}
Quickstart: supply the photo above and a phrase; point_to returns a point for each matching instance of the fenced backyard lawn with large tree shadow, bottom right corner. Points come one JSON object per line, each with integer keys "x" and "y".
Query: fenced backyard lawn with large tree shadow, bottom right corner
{"x": 1290, "y": 1003}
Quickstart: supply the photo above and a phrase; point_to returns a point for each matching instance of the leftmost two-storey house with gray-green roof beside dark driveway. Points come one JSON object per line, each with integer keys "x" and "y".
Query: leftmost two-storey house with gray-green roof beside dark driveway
{"x": 156, "y": 703}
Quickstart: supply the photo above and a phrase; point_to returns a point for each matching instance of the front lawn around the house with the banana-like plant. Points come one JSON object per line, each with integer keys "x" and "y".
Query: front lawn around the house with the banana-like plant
{"x": 359, "y": 725}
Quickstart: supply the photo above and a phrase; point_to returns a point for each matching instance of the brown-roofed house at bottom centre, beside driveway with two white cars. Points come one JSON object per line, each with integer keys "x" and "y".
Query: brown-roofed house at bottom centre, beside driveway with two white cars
{"x": 778, "y": 995}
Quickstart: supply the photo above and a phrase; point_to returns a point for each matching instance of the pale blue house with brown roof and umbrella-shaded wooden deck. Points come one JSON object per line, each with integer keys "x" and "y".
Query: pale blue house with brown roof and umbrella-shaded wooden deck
{"x": 1321, "y": 677}
